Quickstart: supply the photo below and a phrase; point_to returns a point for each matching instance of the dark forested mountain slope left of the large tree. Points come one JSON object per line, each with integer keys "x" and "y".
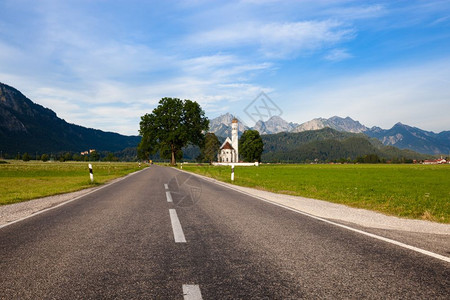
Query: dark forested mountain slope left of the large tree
{"x": 29, "y": 127}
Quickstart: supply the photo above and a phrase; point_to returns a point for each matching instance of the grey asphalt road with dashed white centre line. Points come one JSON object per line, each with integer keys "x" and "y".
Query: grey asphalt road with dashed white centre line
{"x": 127, "y": 241}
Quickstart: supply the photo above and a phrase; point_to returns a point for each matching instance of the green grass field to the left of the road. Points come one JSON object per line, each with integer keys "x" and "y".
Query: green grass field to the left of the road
{"x": 20, "y": 181}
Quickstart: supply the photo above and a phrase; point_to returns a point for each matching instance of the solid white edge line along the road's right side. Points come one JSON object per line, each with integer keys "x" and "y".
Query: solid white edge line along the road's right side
{"x": 378, "y": 237}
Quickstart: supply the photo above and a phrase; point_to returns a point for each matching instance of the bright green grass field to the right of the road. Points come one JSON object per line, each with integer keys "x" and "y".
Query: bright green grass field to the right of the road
{"x": 411, "y": 191}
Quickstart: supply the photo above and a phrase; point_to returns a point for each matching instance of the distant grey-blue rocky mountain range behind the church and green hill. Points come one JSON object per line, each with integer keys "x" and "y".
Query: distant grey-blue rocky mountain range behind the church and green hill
{"x": 400, "y": 135}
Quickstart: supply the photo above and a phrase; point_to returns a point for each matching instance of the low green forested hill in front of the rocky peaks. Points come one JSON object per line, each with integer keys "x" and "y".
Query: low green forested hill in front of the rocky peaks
{"x": 328, "y": 145}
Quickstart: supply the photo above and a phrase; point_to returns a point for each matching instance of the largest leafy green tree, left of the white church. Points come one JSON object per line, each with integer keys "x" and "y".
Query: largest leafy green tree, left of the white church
{"x": 171, "y": 126}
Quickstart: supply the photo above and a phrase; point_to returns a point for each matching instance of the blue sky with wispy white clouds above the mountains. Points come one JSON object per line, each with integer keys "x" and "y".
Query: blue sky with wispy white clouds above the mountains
{"x": 103, "y": 64}
